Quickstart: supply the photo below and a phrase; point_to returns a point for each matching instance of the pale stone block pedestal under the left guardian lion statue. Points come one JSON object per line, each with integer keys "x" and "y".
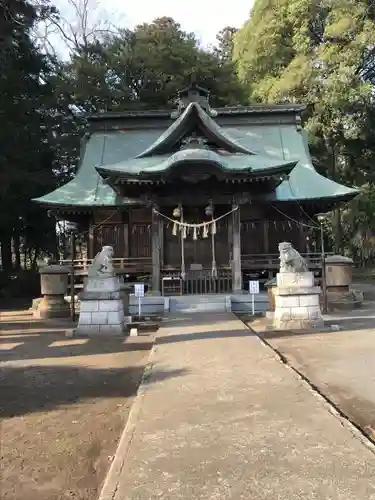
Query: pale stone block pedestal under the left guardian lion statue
{"x": 102, "y": 307}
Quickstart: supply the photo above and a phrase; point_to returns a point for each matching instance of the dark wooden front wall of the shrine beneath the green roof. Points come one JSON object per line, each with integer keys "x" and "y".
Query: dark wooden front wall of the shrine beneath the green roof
{"x": 131, "y": 235}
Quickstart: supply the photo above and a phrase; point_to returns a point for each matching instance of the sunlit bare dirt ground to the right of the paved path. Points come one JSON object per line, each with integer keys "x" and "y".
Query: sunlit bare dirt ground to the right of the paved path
{"x": 340, "y": 364}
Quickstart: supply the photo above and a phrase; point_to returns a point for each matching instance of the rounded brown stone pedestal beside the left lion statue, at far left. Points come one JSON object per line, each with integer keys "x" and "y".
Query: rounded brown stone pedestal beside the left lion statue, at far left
{"x": 54, "y": 286}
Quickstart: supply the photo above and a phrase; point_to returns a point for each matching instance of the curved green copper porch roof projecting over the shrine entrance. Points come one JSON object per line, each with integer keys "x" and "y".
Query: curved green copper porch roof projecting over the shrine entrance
{"x": 147, "y": 167}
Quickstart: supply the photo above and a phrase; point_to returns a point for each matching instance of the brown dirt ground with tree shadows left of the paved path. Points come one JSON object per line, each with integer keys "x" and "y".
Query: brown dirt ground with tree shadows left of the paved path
{"x": 63, "y": 405}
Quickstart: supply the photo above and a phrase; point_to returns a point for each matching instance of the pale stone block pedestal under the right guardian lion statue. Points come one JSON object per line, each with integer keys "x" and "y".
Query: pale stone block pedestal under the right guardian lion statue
{"x": 297, "y": 302}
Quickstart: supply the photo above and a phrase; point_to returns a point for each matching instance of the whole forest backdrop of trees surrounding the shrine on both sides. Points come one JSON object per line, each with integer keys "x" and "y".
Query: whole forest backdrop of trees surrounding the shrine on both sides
{"x": 317, "y": 52}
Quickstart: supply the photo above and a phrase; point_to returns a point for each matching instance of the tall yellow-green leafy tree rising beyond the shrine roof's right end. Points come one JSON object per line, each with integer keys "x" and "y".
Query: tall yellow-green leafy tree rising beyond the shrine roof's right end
{"x": 315, "y": 52}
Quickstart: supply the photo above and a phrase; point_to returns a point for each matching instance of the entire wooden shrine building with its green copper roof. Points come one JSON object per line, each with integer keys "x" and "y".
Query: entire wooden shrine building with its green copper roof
{"x": 147, "y": 178}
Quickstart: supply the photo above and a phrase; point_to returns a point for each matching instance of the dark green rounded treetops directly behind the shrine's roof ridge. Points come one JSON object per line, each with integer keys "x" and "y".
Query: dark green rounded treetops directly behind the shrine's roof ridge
{"x": 145, "y": 68}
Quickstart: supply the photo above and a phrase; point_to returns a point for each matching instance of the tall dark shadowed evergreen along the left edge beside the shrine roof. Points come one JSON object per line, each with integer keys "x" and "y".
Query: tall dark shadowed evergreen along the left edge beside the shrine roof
{"x": 30, "y": 114}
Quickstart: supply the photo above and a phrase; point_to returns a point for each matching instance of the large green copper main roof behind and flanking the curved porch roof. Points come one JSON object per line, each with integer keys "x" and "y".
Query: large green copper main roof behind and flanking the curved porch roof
{"x": 276, "y": 142}
